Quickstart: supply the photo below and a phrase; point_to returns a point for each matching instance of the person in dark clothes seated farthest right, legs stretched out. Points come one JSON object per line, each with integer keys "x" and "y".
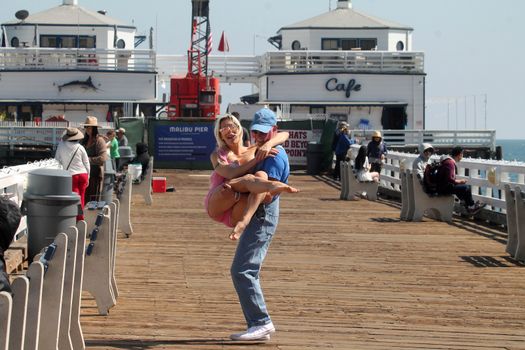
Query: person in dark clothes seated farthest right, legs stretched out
{"x": 449, "y": 184}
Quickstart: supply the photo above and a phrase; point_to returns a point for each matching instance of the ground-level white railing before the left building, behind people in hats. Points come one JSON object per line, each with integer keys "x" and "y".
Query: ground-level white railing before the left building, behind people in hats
{"x": 38, "y": 133}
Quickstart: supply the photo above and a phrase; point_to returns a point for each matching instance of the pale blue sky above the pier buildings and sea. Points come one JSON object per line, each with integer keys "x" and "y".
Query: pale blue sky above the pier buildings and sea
{"x": 473, "y": 49}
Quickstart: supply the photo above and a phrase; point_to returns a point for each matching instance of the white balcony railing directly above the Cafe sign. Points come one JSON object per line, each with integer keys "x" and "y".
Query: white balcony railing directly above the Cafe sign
{"x": 343, "y": 61}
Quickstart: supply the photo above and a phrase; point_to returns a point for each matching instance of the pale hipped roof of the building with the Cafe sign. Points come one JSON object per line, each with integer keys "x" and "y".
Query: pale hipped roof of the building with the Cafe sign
{"x": 345, "y": 18}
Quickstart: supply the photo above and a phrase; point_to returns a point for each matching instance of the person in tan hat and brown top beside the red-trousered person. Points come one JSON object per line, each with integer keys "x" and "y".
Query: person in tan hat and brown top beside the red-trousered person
{"x": 95, "y": 145}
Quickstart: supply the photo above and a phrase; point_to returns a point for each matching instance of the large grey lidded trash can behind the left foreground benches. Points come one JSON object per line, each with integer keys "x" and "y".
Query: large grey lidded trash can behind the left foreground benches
{"x": 50, "y": 207}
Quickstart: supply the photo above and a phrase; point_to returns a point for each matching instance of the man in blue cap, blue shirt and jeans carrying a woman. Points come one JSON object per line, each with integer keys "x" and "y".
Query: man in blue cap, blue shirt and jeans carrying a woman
{"x": 254, "y": 242}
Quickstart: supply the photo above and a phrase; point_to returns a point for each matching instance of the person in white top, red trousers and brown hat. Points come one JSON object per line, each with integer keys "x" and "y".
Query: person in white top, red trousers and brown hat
{"x": 73, "y": 158}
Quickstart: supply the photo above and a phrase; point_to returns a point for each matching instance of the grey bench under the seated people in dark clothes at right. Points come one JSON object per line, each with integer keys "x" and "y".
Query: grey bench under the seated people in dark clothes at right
{"x": 420, "y": 203}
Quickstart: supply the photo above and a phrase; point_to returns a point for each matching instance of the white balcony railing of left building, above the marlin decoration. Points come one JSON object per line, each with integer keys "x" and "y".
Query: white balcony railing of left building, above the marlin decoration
{"x": 75, "y": 59}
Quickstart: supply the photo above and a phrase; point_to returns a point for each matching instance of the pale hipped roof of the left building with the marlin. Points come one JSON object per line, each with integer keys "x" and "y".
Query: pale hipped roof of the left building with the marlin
{"x": 69, "y": 15}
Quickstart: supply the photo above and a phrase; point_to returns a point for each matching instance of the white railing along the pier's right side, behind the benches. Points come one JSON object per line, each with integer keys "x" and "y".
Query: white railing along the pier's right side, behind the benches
{"x": 487, "y": 177}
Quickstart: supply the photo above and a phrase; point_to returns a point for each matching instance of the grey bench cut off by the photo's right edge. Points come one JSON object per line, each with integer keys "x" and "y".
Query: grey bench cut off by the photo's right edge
{"x": 515, "y": 203}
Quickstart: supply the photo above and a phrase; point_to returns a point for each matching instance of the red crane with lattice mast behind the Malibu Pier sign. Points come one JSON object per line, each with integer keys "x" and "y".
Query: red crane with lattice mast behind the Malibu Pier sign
{"x": 196, "y": 95}
